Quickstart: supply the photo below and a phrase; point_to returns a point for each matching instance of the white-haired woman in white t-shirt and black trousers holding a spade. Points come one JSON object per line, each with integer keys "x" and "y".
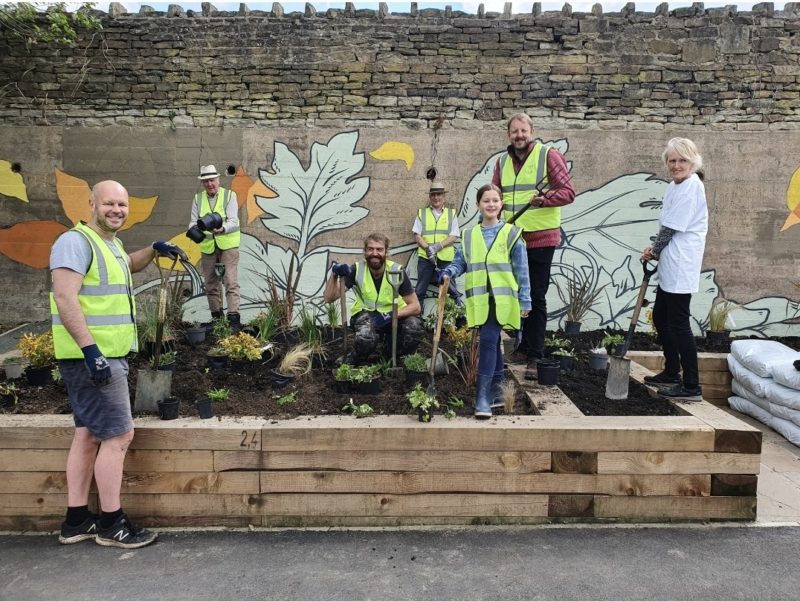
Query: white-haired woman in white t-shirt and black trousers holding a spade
{"x": 679, "y": 247}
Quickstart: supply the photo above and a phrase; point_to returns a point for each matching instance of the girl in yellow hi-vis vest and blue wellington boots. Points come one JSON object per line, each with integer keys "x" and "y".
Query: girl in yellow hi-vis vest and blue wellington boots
{"x": 497, "y": 288}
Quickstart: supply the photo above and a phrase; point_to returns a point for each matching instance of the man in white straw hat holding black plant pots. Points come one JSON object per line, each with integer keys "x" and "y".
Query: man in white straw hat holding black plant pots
{"x": 219, "y": 246}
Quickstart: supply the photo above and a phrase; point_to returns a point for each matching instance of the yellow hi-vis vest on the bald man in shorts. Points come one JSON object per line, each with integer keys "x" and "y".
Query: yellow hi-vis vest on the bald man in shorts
{"x": 106, "y": 299}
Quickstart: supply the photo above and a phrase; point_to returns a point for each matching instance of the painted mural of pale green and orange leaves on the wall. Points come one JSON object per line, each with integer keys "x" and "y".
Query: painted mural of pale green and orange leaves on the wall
{"x": 297, "y": 200}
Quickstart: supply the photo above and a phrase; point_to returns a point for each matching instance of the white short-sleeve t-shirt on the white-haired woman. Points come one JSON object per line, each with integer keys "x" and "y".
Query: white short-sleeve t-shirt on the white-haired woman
{"x": 684, "y": 210}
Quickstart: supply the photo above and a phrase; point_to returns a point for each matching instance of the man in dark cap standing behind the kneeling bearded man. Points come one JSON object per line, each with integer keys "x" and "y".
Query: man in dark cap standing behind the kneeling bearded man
{"x": 435, "y": 231}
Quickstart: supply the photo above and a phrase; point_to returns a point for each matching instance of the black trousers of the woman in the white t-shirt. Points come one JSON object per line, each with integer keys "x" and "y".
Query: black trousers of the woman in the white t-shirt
{"x": 672, "y": 320}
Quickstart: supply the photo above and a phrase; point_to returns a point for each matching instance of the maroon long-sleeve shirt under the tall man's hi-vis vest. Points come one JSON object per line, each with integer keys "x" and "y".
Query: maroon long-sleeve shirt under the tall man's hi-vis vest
{"x": 560, "y": 192}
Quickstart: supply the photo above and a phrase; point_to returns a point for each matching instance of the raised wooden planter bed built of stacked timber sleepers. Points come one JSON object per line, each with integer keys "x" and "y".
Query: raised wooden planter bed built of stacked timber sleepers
{"x": 393, "y": 470}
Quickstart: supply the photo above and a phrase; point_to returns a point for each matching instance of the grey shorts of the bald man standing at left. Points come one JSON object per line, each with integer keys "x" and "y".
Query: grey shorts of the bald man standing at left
{"x": 104, "y": 410}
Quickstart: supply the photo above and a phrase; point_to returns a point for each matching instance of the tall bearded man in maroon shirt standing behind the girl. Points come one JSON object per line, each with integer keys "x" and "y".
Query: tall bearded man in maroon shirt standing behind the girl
{"x": 529, "y": 172}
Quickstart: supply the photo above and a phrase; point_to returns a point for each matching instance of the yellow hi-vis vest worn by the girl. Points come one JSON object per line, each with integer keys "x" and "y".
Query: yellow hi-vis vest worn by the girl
{"x": 501, "y": 284}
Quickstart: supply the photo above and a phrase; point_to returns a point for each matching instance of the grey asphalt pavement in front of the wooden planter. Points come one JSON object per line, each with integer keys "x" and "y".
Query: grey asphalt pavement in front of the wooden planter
{"x": 667, "y": 563}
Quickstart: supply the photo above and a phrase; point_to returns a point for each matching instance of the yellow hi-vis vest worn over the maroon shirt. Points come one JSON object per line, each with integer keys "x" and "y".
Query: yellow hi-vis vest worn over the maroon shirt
{"x": 518, "y": 188}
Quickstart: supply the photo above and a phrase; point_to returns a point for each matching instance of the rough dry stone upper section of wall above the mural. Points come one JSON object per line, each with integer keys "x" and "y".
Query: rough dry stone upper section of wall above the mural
{"x": 687, "y": 67}
